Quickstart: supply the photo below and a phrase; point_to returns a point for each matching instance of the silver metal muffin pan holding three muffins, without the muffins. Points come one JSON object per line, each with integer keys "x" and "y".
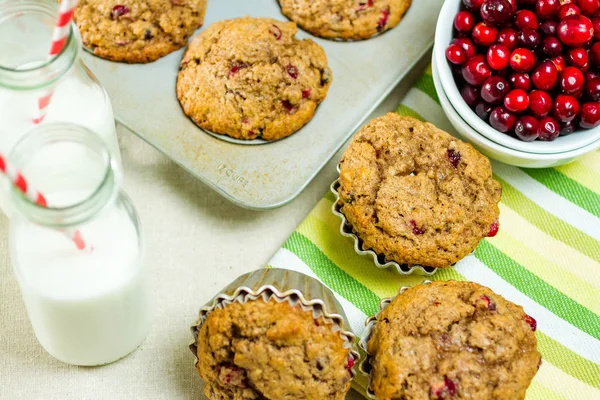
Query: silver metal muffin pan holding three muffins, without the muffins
{"x": 273, "y": 174}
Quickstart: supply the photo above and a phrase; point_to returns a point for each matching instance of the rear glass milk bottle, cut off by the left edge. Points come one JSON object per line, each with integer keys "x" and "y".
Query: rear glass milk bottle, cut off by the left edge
{"x": 25, "y": 75}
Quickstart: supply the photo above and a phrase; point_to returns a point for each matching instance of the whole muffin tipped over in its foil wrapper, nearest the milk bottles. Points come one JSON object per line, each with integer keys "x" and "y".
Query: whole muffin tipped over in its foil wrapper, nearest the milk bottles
{"x": 271, "y": 334}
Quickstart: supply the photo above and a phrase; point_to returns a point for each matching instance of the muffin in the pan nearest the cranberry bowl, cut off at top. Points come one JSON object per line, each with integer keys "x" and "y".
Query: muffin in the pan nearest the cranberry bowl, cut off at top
{"x": 345, "y": 19}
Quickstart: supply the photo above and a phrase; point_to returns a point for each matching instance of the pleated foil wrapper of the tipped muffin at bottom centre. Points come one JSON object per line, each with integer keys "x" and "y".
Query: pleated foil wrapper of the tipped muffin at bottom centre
{"x": 282, "y": 285}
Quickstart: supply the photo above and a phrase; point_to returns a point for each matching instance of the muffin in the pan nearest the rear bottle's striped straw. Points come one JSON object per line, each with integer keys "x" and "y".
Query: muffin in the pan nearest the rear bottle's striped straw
{"x": 137, "y": 31}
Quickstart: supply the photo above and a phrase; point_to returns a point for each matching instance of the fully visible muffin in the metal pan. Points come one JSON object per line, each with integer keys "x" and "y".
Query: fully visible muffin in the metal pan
{"x": 250, "y": 78}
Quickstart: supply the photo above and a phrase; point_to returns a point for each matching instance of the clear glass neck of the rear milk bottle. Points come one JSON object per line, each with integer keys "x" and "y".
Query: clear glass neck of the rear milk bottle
{"x": 25, "y": 34}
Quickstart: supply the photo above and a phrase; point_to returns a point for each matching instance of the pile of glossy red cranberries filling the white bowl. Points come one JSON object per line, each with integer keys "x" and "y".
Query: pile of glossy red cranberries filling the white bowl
{"x": 529, "y": 68}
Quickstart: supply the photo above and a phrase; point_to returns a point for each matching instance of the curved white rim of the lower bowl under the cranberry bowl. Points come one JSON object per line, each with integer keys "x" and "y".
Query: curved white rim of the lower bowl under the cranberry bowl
{"x": 472, "y": 135}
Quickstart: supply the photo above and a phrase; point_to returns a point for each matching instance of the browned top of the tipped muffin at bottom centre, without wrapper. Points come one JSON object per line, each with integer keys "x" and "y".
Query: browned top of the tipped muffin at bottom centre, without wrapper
{"x": 271, "y": 350}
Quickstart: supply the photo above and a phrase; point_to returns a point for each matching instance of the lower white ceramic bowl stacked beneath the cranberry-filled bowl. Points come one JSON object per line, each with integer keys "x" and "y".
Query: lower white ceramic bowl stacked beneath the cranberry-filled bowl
{"x": 496, "y": 151}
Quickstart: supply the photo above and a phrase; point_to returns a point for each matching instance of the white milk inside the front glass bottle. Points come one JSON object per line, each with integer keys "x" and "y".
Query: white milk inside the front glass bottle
{"x": 86, "y": 308}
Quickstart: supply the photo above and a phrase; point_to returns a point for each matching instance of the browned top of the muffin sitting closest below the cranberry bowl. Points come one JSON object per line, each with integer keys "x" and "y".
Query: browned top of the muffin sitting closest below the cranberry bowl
{"x": 415, "y": 194}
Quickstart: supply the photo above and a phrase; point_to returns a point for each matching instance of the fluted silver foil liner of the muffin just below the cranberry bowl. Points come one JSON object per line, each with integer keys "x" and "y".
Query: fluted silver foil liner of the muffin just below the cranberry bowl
{"x": 380, "y": 260}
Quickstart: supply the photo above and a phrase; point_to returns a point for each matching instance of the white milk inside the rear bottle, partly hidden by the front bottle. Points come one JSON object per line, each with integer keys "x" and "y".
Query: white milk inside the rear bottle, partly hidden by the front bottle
{"x": 75, "y": 100}
